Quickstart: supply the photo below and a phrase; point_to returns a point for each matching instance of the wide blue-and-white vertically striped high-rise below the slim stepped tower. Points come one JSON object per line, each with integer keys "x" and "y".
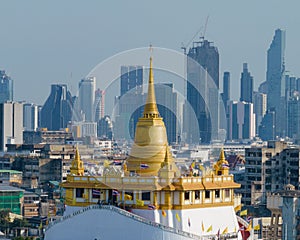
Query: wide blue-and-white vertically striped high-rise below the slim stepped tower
{"x": 241, "y": 121}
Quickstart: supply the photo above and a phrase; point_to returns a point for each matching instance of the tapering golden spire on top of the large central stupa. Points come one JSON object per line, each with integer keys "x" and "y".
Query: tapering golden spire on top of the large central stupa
{"x": 150, "y": 110}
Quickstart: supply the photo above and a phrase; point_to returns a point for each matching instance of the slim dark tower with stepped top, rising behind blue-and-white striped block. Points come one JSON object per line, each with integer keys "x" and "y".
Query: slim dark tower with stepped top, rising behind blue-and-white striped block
{"x": 246, "y": 85}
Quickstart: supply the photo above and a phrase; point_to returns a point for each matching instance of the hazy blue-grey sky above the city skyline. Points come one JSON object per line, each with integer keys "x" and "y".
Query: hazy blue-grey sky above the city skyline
{"x": 44, "y": 42}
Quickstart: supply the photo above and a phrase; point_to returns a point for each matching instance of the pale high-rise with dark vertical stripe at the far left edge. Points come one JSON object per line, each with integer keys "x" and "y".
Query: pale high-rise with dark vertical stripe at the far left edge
{"x": 11, "y": 127}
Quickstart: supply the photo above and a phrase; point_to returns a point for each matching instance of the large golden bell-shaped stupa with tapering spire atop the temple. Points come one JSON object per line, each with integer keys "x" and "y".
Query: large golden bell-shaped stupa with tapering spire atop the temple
{"x": 150, "y": 148}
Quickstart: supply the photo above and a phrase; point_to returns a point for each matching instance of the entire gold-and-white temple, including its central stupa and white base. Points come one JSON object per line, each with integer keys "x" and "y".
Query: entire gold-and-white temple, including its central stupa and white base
{"x": 152, "y": 189}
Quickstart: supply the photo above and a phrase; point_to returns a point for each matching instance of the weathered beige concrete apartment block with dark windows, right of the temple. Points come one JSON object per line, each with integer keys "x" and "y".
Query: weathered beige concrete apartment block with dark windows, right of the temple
{"x": 266, "y": 170}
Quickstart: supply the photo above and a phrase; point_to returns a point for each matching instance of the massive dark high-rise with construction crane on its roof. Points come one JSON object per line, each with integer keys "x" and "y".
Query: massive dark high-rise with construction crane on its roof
{"x": 202, "y": 90}
